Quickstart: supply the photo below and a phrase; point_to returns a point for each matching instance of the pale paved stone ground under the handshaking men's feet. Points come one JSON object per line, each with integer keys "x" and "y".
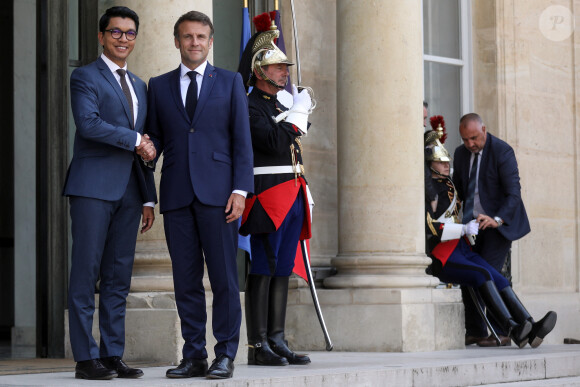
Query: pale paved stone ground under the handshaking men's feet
{"x": 550, "y": 365}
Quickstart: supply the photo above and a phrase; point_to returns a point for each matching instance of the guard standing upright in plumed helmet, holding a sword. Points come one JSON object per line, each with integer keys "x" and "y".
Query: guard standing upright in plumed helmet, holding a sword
{"x": 277, "y": 215}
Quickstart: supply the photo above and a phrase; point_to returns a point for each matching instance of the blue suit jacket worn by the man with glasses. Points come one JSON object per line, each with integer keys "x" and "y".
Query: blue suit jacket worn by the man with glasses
{"x": 104, "y": 146}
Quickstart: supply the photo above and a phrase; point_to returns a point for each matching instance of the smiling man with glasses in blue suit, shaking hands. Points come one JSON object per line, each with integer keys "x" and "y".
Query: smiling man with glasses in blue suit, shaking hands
{"x": 109, "y": 189}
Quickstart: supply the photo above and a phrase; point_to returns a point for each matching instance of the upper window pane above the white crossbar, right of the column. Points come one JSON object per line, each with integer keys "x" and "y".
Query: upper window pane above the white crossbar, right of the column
{"x": 441, "y": 28}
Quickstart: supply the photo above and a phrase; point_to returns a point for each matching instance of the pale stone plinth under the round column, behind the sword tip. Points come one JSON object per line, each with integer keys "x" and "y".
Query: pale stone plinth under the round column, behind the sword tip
{"x": 391, "y": 320}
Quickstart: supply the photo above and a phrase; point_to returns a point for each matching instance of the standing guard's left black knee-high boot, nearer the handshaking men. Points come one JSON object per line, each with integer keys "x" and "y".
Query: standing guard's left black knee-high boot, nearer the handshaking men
{"x": 257, "y": 294}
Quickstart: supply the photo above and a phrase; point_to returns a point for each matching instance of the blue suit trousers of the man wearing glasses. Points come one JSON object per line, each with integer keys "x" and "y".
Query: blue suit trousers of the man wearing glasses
{"x": 104, "y": 235}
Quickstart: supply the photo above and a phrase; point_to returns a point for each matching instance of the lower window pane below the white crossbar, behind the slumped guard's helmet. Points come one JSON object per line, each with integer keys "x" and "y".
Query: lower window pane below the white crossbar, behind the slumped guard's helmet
{"x": 442, "y": 85}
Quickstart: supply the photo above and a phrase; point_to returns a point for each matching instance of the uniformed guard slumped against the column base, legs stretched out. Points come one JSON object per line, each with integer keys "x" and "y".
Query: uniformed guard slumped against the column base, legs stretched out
{"x": 454, "y": 261}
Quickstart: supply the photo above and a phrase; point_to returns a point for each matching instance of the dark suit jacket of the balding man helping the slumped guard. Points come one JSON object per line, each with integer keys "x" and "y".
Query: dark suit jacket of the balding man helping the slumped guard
{"x": 499, "y": 185}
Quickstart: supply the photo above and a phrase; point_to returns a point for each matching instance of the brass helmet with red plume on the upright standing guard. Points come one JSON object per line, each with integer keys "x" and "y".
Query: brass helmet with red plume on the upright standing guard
{"x": 262, "y": 51}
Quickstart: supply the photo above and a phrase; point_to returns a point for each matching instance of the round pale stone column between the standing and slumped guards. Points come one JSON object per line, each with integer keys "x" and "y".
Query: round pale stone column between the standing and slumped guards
{"x": 380, "y": 158}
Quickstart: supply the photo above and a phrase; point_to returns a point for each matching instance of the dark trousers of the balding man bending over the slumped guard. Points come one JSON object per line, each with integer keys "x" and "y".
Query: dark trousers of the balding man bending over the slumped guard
{"x": 493, "y": 248}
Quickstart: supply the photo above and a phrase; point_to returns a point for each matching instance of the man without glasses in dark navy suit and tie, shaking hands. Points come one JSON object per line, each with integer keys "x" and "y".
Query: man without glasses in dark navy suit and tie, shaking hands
{"x": 198, "y": 117}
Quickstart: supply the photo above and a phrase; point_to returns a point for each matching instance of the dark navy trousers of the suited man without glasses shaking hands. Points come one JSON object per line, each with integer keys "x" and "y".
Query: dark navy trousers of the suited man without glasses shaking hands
{"x": 192, "y": 233}
